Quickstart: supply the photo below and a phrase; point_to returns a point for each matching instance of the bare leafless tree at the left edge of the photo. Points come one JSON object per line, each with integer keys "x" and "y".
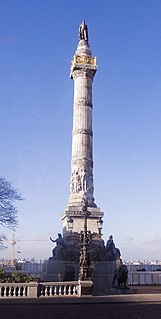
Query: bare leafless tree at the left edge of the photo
{"x": 8, "y": 211}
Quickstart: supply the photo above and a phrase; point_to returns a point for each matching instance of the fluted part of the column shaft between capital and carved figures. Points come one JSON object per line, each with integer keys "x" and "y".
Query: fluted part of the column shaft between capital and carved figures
{"x": 82, "y": 120}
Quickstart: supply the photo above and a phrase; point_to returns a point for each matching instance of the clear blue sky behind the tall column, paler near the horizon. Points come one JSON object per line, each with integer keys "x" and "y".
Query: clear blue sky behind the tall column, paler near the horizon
{"x": 37, "y": 42}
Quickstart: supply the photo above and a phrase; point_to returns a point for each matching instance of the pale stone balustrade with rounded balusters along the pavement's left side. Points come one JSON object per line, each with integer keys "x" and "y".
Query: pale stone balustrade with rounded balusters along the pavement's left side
{"x": 43, "y": 289}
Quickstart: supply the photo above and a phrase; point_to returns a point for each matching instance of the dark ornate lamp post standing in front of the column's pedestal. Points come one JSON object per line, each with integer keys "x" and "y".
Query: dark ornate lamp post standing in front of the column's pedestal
{"x": 85, "y": 236}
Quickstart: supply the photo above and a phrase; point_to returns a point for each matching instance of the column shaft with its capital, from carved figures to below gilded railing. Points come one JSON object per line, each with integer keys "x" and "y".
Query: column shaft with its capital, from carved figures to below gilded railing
{"x": 81, "y": 185}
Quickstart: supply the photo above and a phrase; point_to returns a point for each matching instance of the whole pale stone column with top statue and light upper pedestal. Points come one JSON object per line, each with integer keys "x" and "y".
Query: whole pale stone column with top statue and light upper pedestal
{"x": 83, "y": 69}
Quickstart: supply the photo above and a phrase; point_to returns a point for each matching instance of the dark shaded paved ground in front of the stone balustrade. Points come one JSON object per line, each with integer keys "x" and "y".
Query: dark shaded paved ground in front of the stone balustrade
{"x": 109, "y": 307}
